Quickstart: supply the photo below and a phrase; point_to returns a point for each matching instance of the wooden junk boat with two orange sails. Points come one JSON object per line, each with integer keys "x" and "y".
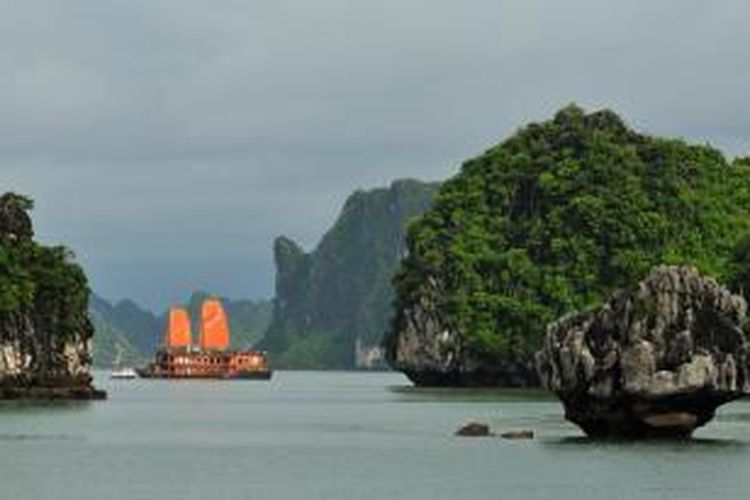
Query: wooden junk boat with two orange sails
{"x": 211, "y": 358}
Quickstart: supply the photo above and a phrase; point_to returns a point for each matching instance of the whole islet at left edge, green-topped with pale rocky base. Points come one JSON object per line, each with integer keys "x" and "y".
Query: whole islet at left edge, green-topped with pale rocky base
{"x": 45, "y": 332}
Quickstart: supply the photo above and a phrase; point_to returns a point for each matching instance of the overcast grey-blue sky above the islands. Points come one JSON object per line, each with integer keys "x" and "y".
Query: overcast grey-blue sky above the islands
{"x": 169, "y": 142}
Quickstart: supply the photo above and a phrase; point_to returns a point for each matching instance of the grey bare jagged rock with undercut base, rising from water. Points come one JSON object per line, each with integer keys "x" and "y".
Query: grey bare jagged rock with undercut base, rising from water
{"x": 655, "y": 360}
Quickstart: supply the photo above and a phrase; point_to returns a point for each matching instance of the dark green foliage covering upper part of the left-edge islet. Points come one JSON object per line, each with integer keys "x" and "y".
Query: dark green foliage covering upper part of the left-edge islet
{"x": 39, "y": 281}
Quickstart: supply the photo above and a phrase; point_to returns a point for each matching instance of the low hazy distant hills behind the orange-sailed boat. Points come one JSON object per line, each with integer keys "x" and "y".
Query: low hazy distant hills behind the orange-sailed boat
{"x": 135, "y": 333}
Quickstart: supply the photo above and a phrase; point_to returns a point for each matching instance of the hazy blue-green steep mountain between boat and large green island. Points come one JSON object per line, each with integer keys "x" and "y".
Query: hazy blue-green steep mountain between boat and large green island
{"x": 327, "y": 299}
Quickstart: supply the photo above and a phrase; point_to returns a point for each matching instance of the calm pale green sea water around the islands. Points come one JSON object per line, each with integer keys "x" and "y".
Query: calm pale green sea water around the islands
{"x": 322, "y": 435}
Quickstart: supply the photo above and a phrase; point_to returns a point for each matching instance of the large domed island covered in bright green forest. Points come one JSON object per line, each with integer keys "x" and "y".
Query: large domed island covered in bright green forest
{"x": 548, "y": 222}
